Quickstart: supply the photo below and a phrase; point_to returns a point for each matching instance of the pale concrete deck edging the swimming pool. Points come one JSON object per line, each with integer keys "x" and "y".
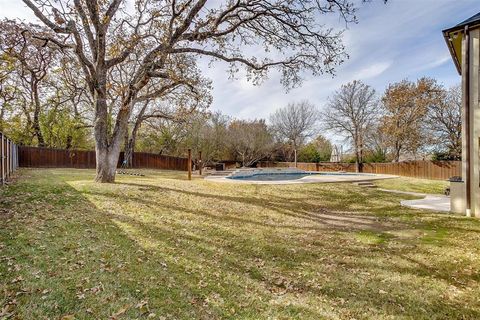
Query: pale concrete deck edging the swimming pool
{"x": 320, "y": 178}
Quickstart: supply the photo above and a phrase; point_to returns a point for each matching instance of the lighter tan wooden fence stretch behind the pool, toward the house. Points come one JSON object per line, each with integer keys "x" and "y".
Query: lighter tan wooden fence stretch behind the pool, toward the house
{"x": 435, "y": 170}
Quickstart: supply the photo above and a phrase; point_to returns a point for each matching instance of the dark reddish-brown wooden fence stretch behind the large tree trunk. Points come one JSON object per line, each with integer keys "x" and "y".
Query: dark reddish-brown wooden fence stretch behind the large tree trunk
{"x": 59, "y": 158}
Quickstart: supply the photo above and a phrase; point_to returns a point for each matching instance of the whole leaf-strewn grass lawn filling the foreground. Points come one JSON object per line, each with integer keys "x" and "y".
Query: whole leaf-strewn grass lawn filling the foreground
{"x": 162, "y": 247}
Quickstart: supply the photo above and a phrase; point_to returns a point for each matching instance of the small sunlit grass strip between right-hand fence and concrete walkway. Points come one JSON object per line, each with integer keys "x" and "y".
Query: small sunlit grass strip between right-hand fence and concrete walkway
{"x": 414, "y": 185}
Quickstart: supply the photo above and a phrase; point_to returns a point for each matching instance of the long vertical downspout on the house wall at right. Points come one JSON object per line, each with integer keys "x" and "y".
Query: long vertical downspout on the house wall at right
{"x": 468, "y": 179}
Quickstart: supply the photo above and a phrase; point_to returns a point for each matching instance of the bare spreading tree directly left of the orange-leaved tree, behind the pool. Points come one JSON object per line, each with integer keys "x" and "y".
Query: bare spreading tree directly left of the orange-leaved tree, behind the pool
{"x": 351, "y": 111}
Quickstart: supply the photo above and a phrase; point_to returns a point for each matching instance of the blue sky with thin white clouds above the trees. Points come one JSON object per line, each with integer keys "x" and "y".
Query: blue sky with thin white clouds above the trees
{"x": 391, "y": 42}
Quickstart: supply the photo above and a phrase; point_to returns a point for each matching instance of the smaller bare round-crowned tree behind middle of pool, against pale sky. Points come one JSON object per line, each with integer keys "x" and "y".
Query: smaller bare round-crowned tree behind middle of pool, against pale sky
{"x": 295, "y": 123}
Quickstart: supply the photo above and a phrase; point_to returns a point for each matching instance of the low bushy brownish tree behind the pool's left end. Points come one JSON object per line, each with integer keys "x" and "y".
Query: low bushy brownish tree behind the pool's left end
{"x": 251, "y": 141}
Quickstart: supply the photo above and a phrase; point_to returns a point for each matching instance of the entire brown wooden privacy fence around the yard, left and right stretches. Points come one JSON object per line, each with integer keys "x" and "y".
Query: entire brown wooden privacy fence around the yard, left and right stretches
{"x": 59, "y": 158}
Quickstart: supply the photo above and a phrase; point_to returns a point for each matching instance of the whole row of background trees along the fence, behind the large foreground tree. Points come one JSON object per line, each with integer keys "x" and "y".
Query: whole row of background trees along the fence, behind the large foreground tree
{"x": 44, "y": 102}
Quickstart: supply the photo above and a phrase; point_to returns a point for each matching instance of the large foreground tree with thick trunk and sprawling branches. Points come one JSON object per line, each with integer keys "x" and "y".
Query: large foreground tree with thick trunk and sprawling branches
{"x": 104, "y": 34}
